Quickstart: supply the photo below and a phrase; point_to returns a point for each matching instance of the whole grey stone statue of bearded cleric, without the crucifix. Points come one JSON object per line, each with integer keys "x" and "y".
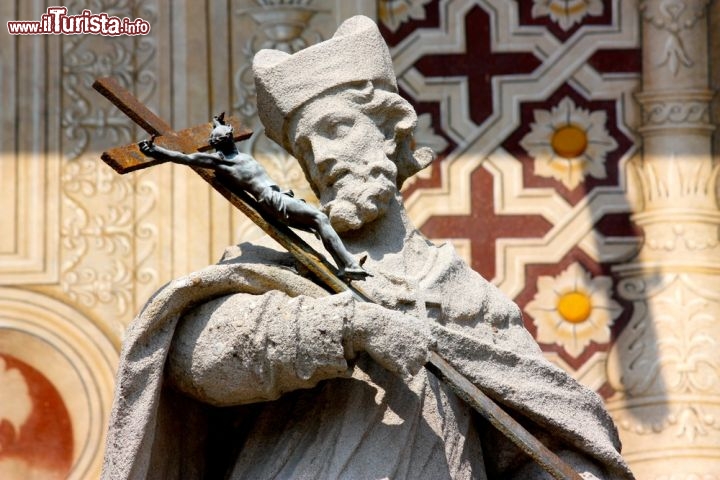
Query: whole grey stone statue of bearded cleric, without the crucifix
{"x": 247, "y": 369}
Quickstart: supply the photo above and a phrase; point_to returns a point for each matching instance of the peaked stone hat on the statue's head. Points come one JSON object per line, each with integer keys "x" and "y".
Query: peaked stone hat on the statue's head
{"x": 284, "y": 82}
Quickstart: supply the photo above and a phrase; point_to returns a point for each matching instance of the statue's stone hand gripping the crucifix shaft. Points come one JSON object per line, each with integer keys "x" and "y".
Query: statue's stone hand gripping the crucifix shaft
{"x": 401, "y": 343}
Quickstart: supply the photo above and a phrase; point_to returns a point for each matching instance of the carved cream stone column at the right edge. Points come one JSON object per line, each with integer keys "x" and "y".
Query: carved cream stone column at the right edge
{"x": 665, "y": 365}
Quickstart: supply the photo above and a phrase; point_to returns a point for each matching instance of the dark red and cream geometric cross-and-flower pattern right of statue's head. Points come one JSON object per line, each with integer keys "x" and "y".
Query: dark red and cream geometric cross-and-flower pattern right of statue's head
{"x": 535, "y": 104}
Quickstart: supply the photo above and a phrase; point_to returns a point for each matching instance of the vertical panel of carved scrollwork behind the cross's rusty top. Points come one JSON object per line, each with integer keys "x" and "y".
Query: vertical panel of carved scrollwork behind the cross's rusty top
{"x": 106, "y": 235}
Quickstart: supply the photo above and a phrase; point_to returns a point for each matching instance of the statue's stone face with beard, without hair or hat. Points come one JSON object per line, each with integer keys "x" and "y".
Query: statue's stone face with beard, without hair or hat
{"x": 346, "y": 158}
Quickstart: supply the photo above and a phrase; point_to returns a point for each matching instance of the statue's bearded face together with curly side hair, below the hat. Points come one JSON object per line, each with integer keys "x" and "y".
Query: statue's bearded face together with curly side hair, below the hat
{"x": 349, "y": 143}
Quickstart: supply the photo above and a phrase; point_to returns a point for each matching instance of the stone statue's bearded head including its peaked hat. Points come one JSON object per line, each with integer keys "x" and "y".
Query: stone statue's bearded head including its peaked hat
{"x": 335, "y": 107}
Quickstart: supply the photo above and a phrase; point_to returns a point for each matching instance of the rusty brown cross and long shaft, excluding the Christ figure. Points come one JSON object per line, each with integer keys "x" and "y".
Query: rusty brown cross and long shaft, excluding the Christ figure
{"x": 129, "y": 158}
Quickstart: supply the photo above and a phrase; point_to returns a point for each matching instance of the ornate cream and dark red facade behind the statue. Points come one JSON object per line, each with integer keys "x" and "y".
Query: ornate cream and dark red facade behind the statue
{"x": 577, "y": 170}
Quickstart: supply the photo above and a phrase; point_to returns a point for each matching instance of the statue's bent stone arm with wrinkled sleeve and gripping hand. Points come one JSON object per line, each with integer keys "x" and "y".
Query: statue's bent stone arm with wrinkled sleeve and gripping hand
{"x": 251, "y": 348}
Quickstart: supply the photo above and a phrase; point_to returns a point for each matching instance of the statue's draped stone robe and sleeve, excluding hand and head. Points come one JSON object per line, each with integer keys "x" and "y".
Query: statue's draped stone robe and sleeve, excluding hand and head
{"x": 262, "y": 337}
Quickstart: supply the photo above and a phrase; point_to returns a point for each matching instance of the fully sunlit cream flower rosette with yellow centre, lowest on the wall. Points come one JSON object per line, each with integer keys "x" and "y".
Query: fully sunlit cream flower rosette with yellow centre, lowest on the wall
{"x": 573, "y": 309}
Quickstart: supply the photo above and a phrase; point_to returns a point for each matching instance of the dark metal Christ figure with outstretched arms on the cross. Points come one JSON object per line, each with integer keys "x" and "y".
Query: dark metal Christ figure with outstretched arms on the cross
{"x": 241, "y": 172}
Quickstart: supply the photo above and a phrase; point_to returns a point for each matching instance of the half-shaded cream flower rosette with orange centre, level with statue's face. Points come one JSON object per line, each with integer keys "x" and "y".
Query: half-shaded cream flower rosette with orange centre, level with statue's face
{"x": 568, "y": 143}
